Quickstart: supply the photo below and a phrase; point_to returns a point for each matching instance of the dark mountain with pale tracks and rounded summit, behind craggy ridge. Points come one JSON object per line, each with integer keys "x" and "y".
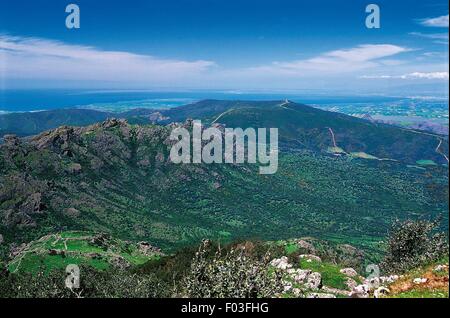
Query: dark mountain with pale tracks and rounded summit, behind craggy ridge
{"x": 304, "y": 127}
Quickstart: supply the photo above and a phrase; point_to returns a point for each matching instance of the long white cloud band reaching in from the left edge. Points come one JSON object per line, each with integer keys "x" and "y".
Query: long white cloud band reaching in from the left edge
{"x": 42, "y": 59}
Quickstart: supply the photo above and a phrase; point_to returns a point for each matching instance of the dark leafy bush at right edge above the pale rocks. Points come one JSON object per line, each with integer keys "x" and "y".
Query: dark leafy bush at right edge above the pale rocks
{"x": 412, "y": 244}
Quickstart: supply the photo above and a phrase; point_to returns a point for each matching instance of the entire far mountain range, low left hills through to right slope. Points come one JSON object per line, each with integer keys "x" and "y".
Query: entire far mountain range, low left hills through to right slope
{"x": 300, "y": 127}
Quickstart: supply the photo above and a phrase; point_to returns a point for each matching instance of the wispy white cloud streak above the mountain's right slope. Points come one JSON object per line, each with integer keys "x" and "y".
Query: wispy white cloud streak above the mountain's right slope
{"x": 338, "y": 61}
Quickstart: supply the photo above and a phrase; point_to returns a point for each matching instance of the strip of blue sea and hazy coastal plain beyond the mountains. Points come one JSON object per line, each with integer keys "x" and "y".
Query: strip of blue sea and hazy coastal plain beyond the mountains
{"x": 434, "y": 108}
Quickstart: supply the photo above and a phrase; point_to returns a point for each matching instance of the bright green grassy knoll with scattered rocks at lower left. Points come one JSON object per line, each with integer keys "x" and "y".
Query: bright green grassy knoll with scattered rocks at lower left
{"x": 100, "y": 251}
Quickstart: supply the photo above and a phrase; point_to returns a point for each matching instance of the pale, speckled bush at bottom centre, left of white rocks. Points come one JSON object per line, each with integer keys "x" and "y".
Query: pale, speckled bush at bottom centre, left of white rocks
{"x": 234, "y": 275}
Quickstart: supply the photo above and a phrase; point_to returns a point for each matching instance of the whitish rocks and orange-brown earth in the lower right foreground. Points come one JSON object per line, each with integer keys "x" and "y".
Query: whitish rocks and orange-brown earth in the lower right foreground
{"x": 299, "y": 282}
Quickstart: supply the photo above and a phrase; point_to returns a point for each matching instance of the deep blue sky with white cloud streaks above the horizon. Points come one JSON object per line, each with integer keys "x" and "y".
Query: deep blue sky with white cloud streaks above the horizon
{"x": 224, "y": 44}
